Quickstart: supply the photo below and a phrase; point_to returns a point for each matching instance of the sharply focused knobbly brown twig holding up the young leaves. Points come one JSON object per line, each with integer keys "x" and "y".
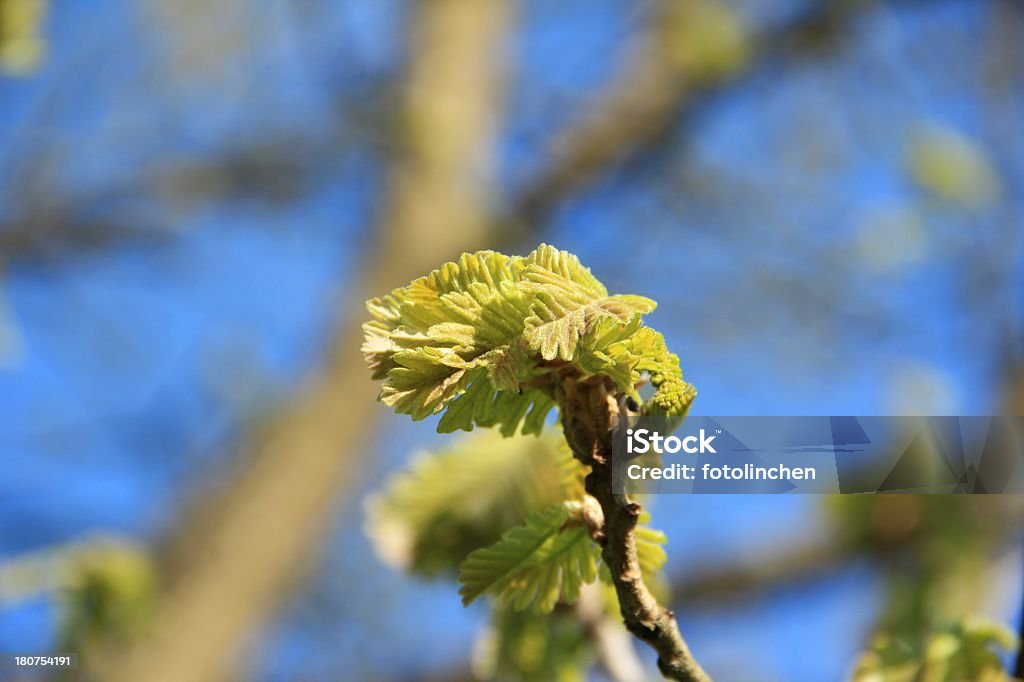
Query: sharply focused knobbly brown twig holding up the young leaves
{"x": 589, "y": 414}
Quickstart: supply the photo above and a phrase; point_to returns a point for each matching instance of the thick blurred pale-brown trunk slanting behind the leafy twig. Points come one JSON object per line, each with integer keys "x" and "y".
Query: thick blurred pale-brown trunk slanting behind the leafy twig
{"x": 237, "y": 561}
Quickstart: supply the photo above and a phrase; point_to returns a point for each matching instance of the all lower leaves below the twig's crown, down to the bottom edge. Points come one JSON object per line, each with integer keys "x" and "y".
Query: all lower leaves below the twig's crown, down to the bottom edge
{"x": 508, "y": 516}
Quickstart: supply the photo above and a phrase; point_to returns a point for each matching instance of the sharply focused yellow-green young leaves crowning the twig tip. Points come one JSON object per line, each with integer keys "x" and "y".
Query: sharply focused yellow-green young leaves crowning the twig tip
{"x": 477, "y": 338}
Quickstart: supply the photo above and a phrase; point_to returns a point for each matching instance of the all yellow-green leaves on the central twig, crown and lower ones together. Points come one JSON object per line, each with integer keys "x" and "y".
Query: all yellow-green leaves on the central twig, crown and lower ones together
{"x": 486, "y": 342}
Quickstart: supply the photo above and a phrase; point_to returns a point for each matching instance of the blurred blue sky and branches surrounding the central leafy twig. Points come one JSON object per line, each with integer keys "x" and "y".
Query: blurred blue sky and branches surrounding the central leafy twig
{"x": 826, "y": 197}
